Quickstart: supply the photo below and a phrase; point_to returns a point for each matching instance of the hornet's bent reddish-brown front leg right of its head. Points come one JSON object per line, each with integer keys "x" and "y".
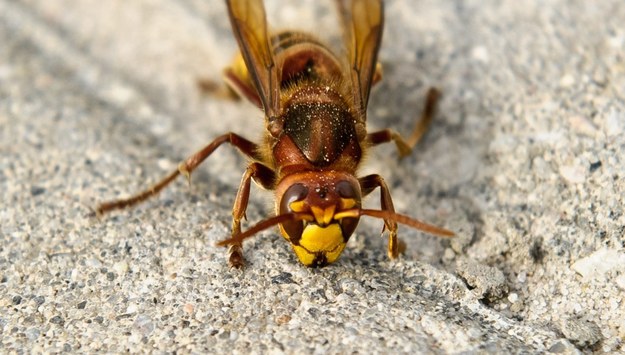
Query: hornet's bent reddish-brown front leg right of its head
{"x": 368, "y": 184}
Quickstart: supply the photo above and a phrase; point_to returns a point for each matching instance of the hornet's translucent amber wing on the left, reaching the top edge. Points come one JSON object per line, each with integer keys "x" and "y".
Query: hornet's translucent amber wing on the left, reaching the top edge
{"x": 249, "y": 25}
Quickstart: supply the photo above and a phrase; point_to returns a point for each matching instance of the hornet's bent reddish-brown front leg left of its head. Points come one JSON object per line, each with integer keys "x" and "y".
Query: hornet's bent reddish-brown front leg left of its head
{"x": 263, "y": 176}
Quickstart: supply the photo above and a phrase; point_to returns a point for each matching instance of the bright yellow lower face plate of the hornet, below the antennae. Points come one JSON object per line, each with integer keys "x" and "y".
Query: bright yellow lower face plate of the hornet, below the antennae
{"x": 315, "y": 239}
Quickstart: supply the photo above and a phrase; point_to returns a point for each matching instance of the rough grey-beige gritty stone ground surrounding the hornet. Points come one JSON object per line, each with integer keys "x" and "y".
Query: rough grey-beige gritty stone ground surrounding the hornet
{"x": 524, "y": 161}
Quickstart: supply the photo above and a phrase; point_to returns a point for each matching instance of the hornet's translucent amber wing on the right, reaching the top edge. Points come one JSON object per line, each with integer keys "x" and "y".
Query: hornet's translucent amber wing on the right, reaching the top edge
{"x": 363, "y": 21}
